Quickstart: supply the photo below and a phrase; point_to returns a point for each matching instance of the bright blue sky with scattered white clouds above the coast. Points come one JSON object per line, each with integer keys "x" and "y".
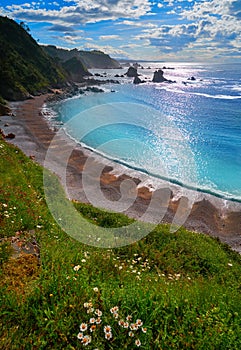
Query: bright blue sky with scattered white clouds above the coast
{"x": 167, "y": 30}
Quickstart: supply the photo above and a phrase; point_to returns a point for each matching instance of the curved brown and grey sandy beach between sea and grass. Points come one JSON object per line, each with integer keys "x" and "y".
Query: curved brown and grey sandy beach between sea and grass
{"x": 34, "y": 136}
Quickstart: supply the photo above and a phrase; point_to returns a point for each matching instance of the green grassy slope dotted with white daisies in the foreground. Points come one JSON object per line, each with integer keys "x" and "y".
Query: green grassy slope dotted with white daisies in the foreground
{"x": 177, "y": 290}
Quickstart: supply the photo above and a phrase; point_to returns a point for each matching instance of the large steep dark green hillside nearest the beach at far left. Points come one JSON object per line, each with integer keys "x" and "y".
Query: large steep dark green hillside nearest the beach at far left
{"x": 25, "y": 66}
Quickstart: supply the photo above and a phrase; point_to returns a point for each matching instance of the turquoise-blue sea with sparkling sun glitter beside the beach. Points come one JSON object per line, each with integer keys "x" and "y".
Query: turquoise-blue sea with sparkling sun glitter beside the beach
{"x": 187, "y": 132}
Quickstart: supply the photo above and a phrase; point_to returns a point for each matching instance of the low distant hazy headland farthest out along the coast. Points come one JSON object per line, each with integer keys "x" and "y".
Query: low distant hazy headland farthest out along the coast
{"x": 90, "y": 59}
